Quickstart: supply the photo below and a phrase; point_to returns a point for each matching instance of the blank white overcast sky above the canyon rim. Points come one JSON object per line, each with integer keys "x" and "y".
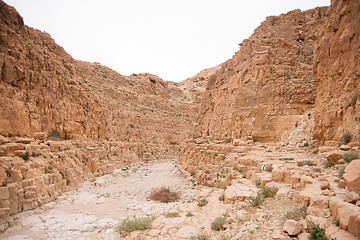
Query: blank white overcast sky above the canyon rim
{"x": 174, "y": 39}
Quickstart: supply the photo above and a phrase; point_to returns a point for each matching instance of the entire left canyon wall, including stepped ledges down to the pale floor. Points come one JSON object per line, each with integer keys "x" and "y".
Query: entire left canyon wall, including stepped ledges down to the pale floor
{"x": 63, "y": 121}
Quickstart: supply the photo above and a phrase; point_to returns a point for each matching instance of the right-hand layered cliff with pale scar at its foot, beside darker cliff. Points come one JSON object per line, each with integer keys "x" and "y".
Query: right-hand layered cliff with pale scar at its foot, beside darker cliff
{"x": 267, "y": 89}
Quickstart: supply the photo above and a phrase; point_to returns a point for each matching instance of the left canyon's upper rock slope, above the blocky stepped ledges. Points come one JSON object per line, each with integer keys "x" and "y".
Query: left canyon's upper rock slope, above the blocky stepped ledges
{"x": 44, "y": 88}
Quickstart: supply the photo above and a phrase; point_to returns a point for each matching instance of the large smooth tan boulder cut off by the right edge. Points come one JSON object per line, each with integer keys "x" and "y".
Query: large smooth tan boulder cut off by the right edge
{"x": 352, "y": 176}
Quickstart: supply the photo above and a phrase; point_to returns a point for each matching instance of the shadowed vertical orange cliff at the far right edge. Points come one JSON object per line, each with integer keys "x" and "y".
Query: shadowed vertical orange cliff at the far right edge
{"x": 337, "y": 73}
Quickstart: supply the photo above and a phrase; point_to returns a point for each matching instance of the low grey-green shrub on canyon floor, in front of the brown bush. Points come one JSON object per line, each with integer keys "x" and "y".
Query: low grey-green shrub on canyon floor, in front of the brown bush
{"x": 129, "y": 225}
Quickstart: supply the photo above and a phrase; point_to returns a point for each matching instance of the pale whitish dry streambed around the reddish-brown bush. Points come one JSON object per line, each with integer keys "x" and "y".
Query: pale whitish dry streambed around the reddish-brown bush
{"x": 93, "y": 211}
